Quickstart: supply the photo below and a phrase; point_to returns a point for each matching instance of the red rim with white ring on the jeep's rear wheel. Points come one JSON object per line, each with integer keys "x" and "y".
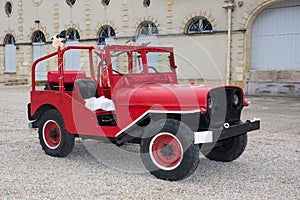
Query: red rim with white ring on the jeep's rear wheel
{"x": 51, "y": 134}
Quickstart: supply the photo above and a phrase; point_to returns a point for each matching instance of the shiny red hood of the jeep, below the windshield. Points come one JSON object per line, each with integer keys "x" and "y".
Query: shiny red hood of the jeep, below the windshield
{"x": 164, "y": 96}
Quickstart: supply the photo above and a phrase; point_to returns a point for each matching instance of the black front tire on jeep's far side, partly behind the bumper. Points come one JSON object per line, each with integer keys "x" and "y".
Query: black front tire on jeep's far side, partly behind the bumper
{"x": 226, "y": 150}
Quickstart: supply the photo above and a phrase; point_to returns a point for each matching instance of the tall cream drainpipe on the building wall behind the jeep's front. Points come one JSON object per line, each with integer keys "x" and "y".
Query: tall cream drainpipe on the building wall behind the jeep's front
{"x": 229, "y": 5}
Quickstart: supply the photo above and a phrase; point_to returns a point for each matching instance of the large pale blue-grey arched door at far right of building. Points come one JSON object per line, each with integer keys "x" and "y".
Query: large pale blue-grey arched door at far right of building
{"x": 275, "y": 38}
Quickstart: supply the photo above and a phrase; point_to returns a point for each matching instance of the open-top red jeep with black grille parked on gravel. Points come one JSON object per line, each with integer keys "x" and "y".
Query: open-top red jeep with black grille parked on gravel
{"x": 130, "y": 94}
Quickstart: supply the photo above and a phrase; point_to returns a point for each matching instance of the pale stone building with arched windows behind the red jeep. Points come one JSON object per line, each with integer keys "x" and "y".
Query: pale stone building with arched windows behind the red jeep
{"x": 251, "y": 43}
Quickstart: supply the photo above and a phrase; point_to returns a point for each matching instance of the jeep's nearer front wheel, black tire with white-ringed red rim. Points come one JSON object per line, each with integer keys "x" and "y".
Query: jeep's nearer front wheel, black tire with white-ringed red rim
{"x": 173, "y": 155}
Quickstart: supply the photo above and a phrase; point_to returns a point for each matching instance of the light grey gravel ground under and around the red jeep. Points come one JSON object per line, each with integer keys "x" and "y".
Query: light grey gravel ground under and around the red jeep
{"x": 268, "y": 169}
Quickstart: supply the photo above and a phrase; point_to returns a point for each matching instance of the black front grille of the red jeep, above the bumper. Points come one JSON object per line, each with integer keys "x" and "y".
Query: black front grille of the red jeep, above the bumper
{"x": 223, "y": 110}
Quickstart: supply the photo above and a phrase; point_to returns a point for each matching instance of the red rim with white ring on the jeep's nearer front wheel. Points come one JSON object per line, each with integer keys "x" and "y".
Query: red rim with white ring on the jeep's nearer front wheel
{"x": 166, "y": 151}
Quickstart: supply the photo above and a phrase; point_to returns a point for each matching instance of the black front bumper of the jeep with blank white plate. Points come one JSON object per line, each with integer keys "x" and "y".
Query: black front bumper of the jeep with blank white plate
{"x": 217, "y": 134}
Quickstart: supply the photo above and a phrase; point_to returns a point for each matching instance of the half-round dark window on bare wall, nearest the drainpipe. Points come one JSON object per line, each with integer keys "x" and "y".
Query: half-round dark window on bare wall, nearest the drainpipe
{"x": 198, "y": 25}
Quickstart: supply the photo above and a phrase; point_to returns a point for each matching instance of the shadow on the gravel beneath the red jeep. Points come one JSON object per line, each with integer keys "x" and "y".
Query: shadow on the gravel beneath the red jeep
{"x": 126, "y": 159}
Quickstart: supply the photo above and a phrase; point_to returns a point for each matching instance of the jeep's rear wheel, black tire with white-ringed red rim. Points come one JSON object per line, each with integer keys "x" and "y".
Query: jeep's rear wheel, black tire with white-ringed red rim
{"x": 54, "y": 138}
